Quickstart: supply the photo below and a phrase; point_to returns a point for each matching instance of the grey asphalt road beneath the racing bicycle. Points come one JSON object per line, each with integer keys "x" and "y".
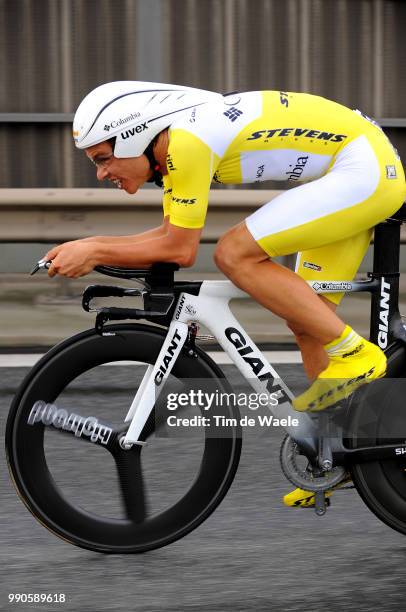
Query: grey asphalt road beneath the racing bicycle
{"x": 251, "y": 554}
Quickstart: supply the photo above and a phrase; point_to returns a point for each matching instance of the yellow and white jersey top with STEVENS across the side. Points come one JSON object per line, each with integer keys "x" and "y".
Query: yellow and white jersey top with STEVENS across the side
{"x": 253, "y": 137}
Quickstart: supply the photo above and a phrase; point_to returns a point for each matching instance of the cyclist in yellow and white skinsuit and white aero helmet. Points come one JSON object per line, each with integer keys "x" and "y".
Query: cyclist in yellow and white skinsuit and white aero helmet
{"x": 184, "y": 138}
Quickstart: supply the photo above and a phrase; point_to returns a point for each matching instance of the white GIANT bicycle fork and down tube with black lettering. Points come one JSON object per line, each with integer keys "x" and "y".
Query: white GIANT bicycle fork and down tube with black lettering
{"x": 211, "y": 308}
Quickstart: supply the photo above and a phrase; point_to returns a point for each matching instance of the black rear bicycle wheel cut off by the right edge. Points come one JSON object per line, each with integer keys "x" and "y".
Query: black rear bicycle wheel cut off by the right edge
{"x": 380, "y": 418}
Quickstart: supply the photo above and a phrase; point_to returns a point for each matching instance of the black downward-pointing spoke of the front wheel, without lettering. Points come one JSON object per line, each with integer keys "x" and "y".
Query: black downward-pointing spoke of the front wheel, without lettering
{"x": 132, "y": 484}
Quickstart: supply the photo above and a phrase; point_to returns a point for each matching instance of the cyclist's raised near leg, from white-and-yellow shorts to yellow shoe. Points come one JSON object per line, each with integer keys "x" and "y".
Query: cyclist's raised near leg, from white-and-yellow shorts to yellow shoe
{"x": 354, "y": 196}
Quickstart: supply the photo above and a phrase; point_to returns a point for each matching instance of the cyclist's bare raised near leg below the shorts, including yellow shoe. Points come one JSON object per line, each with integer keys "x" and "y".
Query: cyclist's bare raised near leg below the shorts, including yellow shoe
{"x": 290, "y": 297}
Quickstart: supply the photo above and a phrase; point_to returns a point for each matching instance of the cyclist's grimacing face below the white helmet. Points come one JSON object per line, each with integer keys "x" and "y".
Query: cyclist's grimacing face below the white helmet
{"x": 126, "y": 173}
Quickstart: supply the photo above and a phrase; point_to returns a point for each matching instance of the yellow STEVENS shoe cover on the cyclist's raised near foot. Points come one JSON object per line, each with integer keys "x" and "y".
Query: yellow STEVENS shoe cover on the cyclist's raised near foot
{"x": 344, "y": 374}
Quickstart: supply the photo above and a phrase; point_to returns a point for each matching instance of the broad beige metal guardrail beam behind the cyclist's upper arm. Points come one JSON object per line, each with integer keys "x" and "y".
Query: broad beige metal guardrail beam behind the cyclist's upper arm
{"x": 58, "y": 215}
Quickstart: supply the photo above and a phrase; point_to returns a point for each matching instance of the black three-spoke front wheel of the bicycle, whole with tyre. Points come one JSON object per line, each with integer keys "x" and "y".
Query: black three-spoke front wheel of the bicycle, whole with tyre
{"x": 100, "y": 496}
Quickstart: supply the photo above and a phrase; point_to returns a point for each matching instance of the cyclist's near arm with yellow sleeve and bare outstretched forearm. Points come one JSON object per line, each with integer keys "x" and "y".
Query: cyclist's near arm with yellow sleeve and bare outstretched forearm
{"x": 191, "y": 165}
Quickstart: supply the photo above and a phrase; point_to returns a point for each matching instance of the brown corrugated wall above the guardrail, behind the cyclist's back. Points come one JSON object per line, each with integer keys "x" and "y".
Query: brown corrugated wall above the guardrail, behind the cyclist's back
{"x": 53, "y": 52}
